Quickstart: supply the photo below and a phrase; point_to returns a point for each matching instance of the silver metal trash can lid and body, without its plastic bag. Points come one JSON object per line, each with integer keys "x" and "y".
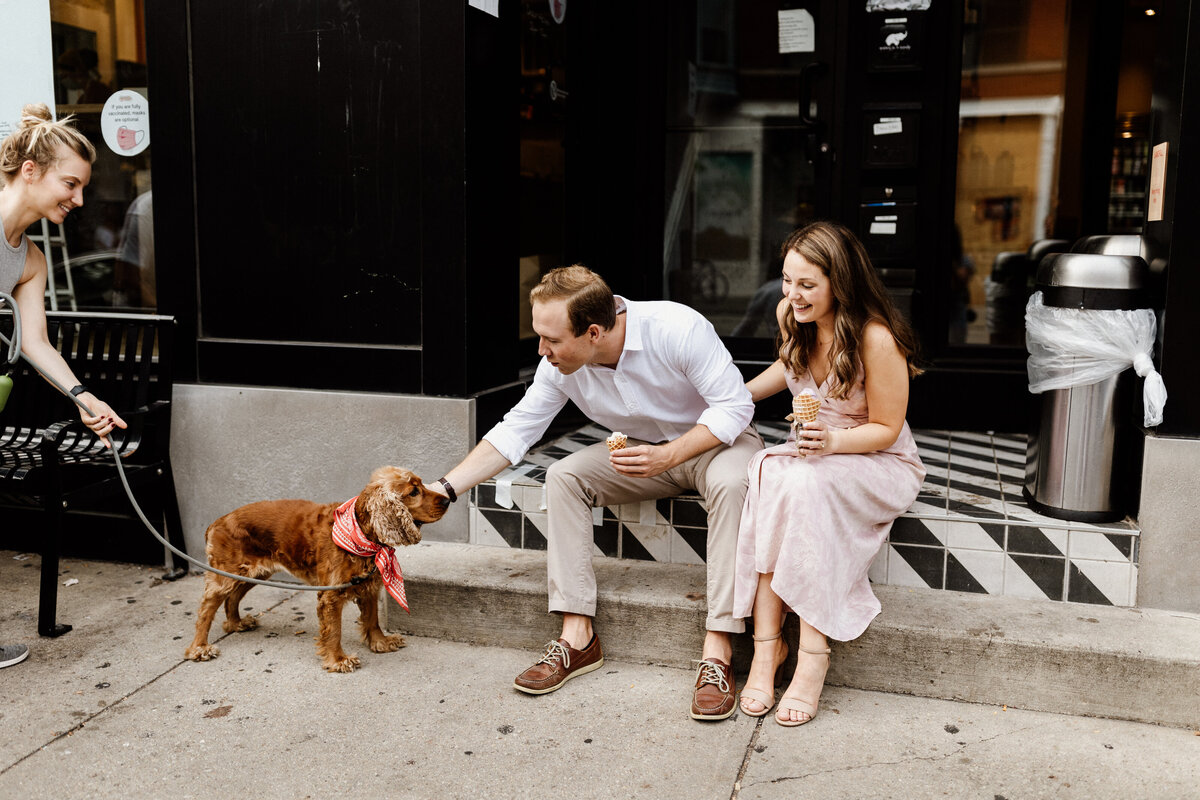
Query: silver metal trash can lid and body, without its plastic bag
{"x": 1084, "y": 454}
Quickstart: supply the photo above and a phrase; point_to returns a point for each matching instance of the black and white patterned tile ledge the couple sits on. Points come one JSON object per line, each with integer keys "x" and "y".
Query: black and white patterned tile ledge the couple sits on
{"x": 969, "y": 531}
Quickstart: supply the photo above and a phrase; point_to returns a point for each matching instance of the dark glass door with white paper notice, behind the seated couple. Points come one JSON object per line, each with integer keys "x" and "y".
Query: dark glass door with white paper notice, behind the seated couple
{"x": 751, "y": 121}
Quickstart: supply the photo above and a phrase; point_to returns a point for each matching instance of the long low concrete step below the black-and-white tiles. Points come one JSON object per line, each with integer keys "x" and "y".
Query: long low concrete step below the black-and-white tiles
{"x": 1126, "y": 664}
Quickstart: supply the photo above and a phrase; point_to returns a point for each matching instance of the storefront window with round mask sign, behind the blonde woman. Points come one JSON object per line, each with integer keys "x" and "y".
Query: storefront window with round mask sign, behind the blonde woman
{"x": 104, "y": 254}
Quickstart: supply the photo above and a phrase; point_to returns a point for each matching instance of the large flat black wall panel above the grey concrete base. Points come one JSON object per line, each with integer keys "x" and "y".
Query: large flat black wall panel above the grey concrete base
{"x": 308, "y": 149}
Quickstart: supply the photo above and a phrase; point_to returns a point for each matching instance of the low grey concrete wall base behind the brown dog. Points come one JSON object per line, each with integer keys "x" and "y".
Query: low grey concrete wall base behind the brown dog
{"x": 233, "y": 446}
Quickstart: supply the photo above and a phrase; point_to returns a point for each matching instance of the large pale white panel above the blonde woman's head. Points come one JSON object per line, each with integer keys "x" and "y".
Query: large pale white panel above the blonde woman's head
{"x": 27, "y": 62}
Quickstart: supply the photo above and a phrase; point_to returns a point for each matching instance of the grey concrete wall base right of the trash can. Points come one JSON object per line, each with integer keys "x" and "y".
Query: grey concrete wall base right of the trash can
{"x": 1169, "y": 564}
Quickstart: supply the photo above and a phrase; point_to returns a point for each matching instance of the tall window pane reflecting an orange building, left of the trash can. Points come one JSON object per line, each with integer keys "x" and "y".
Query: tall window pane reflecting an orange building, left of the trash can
{"x": 1012, "y": 100}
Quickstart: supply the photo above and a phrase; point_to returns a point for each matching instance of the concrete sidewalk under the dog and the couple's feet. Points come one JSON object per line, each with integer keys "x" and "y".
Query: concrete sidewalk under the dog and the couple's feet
{"x": 112, "y": 711}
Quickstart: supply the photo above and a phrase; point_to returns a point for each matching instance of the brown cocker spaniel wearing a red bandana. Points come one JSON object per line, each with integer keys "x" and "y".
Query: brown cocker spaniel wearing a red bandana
{"x": 261, "y": 539}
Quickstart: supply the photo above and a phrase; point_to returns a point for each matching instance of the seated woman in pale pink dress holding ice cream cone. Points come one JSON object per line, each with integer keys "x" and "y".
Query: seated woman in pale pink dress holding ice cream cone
{"x": 820, "y": 506}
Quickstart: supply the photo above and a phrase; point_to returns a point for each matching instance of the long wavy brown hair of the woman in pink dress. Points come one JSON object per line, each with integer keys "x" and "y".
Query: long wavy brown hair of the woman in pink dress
{"x": 859, "y": 296}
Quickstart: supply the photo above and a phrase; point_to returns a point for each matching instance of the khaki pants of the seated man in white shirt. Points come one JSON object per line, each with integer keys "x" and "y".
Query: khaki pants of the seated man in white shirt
{"x": 585, "y": 480}
